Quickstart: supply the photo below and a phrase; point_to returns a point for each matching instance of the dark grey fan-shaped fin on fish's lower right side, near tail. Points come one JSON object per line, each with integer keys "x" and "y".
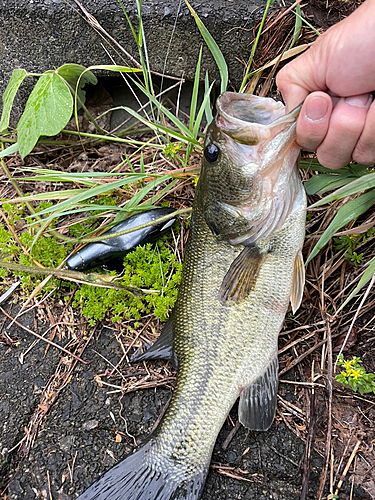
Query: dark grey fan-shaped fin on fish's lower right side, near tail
{"x": 257, "y": 406}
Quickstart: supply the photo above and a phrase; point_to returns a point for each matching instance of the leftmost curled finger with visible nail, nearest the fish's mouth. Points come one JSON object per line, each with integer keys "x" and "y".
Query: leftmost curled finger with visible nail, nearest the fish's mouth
{"x": 313, "y": 121}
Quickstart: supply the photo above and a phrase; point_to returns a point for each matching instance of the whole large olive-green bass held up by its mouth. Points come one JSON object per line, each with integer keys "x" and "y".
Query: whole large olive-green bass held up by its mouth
{"x": 243, "y": 265}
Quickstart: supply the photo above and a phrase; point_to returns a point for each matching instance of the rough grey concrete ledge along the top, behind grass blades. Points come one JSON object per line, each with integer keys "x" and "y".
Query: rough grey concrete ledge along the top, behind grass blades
{"x": 42, "y": 34}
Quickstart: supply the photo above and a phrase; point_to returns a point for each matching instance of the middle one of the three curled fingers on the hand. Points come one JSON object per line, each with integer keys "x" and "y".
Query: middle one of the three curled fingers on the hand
{"x": 346, "y": 125}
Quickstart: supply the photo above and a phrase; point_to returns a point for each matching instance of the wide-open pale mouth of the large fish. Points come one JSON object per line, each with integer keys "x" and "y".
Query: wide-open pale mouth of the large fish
{"x": 250, "y": 119}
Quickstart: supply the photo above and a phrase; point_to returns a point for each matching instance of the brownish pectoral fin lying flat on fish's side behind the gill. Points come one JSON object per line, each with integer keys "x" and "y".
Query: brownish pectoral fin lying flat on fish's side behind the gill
{"x": 241, "y": 276}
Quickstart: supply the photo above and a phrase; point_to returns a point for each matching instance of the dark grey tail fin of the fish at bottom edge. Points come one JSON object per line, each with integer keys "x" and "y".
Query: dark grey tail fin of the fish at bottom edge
{"x": 137, "y": 478}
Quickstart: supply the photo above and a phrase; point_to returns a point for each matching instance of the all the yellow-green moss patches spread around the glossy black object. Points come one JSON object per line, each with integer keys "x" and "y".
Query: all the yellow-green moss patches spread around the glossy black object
{"x": 150, "y": 267}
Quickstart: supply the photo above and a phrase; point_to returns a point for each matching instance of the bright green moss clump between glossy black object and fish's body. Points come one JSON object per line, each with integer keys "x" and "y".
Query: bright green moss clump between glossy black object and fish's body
{"x": 148, "y": 267}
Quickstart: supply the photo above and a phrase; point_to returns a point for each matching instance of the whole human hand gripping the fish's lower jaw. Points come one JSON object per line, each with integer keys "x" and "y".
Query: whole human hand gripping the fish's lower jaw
{"x": 335, "y": 78}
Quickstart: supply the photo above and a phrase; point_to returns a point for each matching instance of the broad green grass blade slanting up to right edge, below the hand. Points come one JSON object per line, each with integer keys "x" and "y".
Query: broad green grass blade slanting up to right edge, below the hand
{"x": 352, "y": 210}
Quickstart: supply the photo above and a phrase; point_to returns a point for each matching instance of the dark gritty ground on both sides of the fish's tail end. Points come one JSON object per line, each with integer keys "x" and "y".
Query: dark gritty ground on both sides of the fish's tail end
{"x": 76, "y": 443}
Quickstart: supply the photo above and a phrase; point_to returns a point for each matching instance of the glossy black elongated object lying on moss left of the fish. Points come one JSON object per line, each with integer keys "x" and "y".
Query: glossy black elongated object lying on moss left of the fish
{"x": 106, "y": 251}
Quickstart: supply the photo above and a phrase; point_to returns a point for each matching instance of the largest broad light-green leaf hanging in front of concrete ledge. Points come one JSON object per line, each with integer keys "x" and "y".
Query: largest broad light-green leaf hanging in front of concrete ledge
{"x": 47, "y": 111}
